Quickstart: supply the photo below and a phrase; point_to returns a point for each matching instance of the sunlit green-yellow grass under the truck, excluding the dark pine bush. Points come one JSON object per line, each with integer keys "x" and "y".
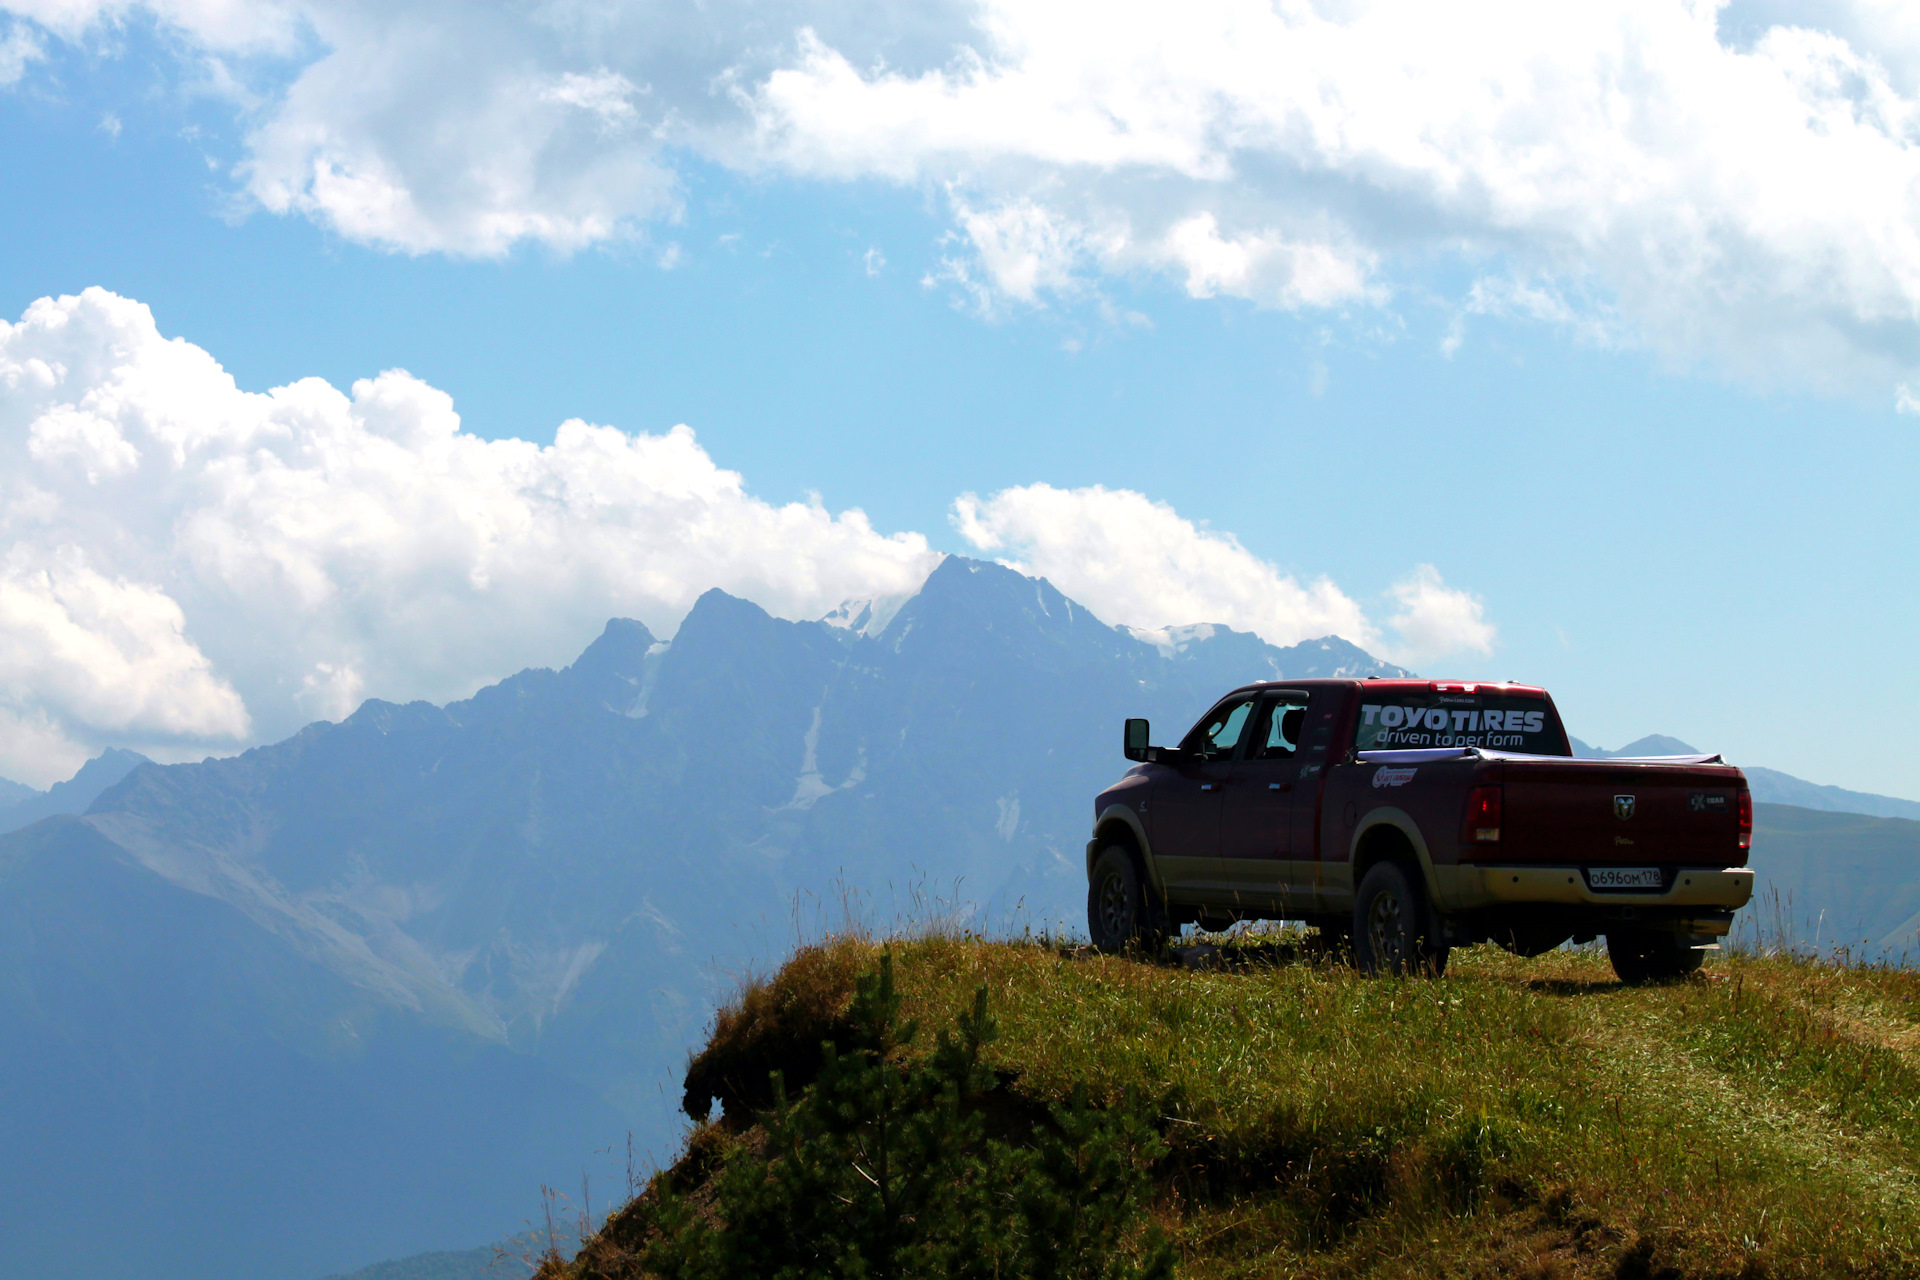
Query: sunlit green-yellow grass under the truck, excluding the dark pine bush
{"x": 1518, "y": 1118}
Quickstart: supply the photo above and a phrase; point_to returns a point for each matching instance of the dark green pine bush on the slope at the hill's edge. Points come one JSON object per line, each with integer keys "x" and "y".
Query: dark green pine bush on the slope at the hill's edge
{"x": 882, "y": 1170}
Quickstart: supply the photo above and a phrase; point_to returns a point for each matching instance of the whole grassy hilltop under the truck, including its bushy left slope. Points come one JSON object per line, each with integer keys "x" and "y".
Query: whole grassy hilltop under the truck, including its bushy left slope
{"x": 1278, "y": 1116}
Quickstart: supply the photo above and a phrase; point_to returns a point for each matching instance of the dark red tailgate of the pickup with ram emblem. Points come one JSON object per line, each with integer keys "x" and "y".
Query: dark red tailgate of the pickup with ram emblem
{"x": 1610, "y": 813}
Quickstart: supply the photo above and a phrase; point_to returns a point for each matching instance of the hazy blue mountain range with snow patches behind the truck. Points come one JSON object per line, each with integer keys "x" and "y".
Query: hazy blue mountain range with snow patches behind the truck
{"x": 364, "y": 991}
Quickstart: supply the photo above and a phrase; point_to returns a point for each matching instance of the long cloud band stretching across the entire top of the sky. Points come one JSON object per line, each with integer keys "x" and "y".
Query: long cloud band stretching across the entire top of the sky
{"x": 1725, "y": 183}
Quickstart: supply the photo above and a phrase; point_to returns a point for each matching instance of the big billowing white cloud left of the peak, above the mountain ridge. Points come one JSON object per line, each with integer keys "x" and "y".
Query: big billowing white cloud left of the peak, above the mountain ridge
{"x": 193, "y": 563}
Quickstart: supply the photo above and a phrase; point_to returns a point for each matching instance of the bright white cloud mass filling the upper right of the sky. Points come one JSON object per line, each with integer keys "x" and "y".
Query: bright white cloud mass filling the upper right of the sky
{"x": 1756, "y": 204}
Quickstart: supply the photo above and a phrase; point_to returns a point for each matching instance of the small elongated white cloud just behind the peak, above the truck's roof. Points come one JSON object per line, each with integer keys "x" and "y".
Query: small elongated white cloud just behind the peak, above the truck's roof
{"x": 1140, "y": 563}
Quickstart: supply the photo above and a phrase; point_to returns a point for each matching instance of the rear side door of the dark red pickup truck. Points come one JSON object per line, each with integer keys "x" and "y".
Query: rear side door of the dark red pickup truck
{"x": 1259, "y": 830}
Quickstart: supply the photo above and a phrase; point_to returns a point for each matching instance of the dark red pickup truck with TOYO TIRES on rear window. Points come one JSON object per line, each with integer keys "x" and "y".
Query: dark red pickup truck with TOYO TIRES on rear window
{"x": 1416, "y": 817}
